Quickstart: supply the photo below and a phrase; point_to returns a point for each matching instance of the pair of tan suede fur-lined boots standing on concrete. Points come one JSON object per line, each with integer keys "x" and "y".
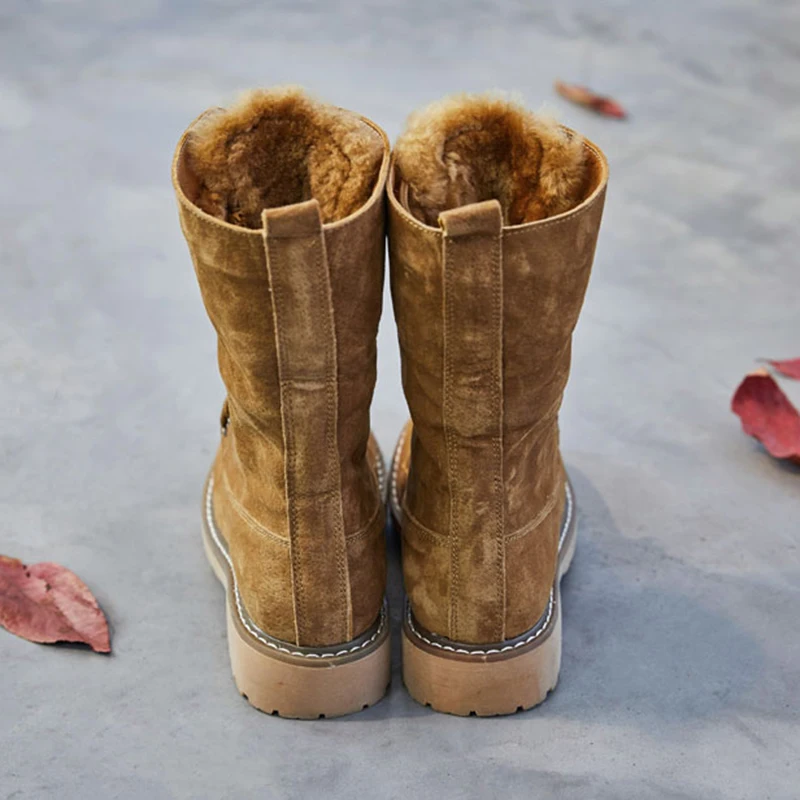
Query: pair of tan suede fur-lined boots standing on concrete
{"x": 493, "y": 215}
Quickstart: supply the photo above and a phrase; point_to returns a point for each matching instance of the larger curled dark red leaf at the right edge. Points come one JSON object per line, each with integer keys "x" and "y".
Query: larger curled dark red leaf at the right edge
{"x": 768, "y": 415}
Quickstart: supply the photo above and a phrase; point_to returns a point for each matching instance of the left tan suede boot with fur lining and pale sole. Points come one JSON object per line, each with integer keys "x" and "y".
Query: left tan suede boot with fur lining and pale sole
{"x": 281, "y": 202}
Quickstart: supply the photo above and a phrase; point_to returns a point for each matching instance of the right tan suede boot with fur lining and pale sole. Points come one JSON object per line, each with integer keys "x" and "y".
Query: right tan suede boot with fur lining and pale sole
{"x": 494, "y": 215}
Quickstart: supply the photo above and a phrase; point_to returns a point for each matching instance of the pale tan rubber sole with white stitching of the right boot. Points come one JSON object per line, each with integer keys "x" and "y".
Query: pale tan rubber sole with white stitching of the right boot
{"x": 490, "y": 680}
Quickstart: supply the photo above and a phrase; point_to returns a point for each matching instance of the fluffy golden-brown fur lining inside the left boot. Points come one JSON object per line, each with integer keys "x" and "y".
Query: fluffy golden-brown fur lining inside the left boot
{"x": 277, "y": 147}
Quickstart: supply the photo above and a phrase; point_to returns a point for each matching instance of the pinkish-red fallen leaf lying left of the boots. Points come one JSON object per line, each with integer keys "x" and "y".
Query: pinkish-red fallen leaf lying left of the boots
{"x": 48, "y": 603}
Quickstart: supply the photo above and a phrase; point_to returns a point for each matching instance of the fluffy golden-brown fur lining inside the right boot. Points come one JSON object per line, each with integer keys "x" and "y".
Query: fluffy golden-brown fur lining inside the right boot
{"x": 469, "y": 148}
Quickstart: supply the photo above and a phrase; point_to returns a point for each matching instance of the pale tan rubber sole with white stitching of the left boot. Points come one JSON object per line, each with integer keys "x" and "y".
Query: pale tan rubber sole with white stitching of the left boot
{"x": 285, "y": 680}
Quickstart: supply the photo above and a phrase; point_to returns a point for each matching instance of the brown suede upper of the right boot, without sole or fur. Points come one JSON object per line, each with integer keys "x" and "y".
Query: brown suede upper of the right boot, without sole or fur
{"x": 485, "y": 315}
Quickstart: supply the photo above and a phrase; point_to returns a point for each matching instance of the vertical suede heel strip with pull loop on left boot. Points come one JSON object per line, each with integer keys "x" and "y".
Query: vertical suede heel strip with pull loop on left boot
{"x": 306, "y": 346}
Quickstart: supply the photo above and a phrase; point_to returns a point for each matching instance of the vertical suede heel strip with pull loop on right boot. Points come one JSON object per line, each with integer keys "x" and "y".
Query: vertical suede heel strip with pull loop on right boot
{"x": 473, "y": 418}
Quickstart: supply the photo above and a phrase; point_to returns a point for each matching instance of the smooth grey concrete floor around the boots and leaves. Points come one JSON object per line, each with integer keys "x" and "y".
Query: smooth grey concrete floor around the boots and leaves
{"x": 681, "y": 673}
